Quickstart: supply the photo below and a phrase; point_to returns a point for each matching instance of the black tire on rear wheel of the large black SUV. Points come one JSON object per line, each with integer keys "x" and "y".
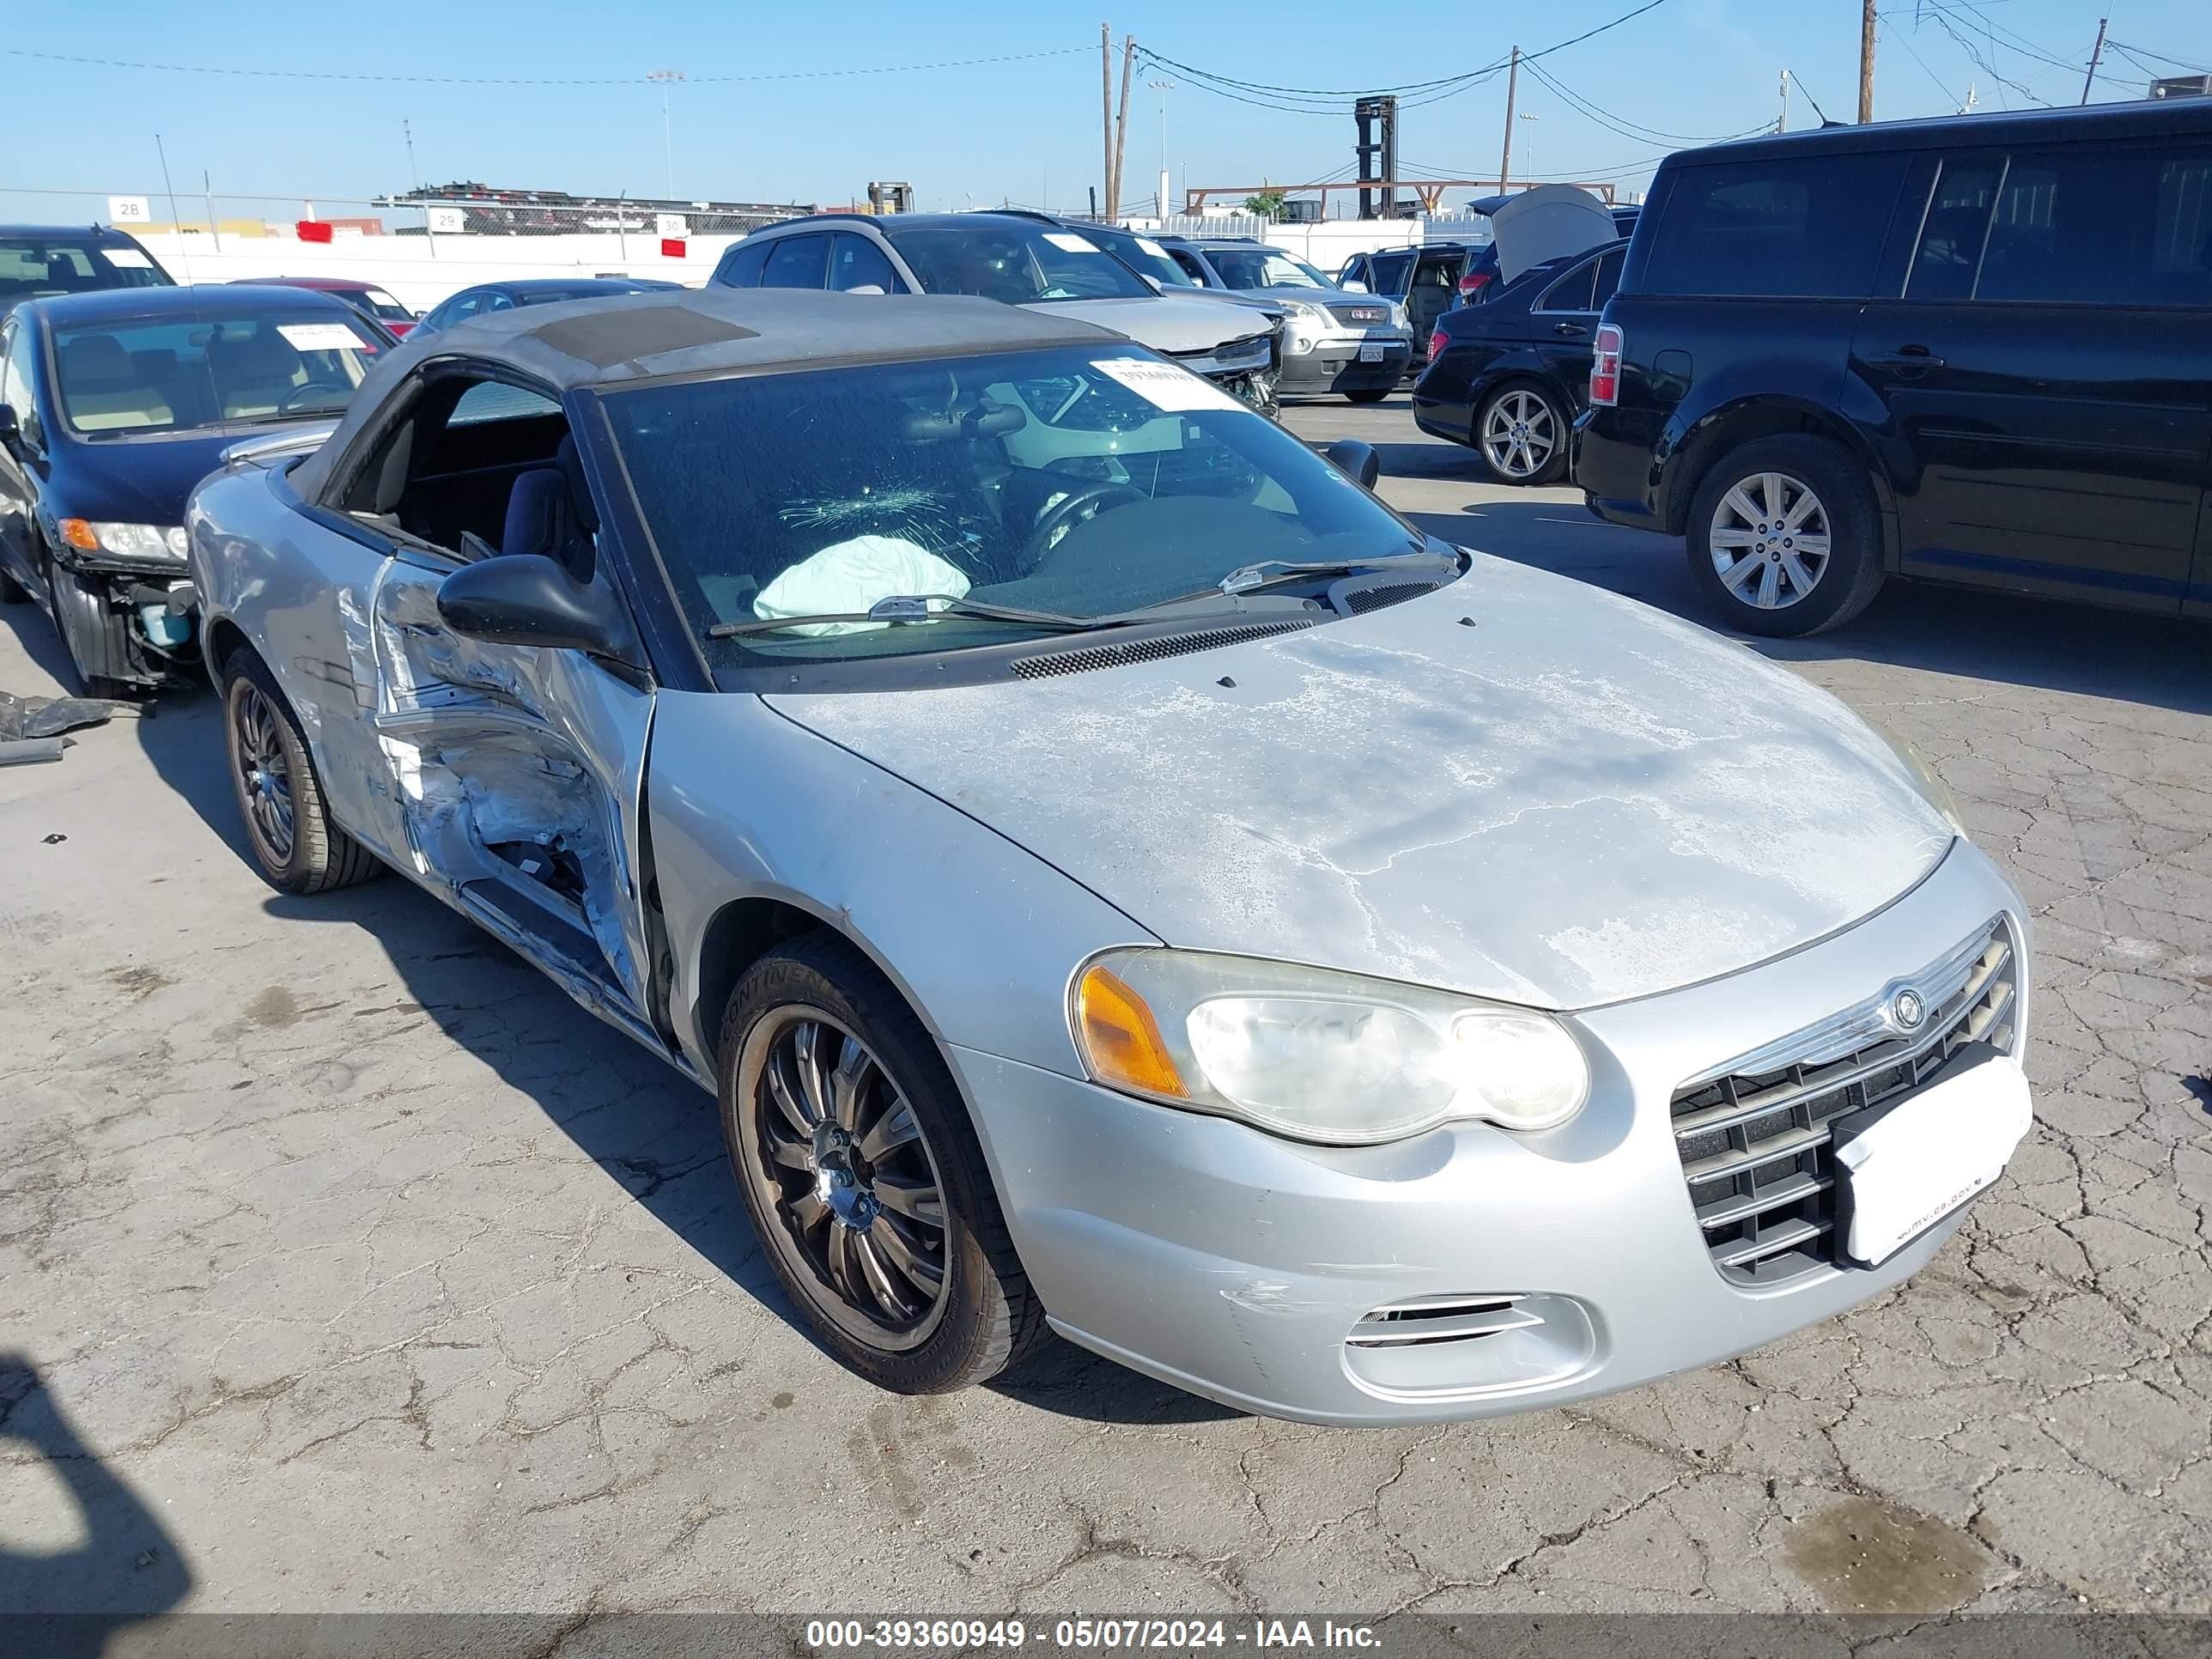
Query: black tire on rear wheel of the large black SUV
{"x": 1844, "y": 499}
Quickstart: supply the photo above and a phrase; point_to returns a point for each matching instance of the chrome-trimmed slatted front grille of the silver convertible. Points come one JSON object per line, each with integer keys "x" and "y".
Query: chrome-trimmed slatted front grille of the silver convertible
{"x": 1755, "y": 1138}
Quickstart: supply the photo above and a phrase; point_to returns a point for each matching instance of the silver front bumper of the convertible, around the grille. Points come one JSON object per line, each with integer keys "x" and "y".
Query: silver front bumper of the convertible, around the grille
{"x": 1238, "y": 1266}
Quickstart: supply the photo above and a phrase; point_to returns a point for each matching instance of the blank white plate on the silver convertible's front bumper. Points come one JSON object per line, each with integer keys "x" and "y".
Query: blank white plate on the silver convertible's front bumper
{"x": 1932, "y": 1154}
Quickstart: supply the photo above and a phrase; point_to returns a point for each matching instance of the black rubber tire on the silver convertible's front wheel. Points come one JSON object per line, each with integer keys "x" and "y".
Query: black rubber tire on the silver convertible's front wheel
{"x": 988, "y": 1317}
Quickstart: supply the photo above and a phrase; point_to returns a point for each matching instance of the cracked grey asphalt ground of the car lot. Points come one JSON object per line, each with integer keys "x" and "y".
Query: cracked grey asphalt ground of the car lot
{"x": 346, "y": 1266}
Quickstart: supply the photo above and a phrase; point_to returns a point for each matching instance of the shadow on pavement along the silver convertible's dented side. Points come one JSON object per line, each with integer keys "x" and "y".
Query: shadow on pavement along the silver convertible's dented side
{"x": 645, "y": 1125}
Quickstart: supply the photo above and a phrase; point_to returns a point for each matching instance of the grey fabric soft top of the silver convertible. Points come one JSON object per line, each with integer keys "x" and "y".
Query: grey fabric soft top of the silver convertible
{"x": 623, "y": 340}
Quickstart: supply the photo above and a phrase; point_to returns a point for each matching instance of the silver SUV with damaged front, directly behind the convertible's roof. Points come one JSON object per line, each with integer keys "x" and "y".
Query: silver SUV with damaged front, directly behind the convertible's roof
{"x": 1016, "y": 260}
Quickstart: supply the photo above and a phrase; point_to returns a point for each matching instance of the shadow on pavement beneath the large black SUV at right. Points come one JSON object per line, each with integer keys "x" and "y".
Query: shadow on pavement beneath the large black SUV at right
{"x": 2047, "y": 645}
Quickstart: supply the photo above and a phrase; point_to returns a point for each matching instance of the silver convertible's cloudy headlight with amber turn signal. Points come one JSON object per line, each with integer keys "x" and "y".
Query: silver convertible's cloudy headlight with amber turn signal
{"x": 1319, "y": 1056}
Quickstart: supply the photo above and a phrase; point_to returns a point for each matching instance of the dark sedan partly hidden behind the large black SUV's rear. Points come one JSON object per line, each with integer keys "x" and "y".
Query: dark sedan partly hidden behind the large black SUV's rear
{"x": 1507, "y": 379}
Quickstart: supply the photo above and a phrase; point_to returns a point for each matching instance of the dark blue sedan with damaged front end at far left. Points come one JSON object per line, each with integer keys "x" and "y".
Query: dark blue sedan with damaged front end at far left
{"x": 112, "y": 408}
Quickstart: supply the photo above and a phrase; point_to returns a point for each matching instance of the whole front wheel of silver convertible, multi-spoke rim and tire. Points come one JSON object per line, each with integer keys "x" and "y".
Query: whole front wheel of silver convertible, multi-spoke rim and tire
{"x": 864, "y": 1176}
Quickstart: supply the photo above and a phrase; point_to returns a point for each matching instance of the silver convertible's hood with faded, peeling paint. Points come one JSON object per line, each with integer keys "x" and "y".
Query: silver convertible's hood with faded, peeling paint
{"x": 1578, "y": 800}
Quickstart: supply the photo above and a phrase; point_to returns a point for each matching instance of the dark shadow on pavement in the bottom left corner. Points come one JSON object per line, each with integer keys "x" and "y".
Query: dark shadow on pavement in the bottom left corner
{"x": 118, "y": 1565}
